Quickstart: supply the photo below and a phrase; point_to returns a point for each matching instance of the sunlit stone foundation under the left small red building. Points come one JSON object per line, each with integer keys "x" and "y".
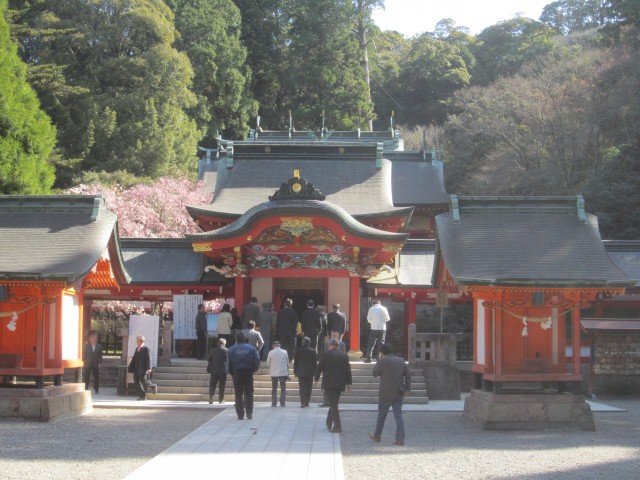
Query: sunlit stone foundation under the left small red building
{"x": 48, "y": 404}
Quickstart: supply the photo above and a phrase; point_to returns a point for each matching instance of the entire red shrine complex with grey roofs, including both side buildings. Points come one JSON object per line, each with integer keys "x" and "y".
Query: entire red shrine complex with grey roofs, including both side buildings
{"x": 336, "y": 217}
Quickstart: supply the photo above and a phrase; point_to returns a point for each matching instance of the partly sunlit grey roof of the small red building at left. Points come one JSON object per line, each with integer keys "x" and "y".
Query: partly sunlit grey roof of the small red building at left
{"x": 56, "y": 237}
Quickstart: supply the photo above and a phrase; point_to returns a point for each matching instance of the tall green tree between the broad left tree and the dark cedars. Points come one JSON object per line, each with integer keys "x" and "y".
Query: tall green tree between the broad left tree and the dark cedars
{"x": 210, "y": 36}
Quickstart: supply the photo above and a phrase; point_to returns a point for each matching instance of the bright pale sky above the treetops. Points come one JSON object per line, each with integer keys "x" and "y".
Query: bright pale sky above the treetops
{"x": 413, "y": 17}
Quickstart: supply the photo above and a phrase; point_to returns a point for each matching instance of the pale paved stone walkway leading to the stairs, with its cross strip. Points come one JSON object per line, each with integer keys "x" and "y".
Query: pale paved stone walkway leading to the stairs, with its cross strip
{"x": 277, "y": 444}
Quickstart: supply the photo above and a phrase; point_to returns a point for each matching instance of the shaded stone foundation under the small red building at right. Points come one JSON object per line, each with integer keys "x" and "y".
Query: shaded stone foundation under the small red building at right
{"x": 529, "y": 411}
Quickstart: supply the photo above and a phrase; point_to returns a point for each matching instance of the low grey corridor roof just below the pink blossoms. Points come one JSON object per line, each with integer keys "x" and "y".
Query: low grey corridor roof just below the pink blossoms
{"x": 165, "y": 261}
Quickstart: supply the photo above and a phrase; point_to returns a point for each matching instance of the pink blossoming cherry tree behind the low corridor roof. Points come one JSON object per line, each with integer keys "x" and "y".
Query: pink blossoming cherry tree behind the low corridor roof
{"x": 154, "y": 210}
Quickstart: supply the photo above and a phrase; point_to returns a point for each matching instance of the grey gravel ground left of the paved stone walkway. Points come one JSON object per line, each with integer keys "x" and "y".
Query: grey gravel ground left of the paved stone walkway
{"x": 108, "y": 443}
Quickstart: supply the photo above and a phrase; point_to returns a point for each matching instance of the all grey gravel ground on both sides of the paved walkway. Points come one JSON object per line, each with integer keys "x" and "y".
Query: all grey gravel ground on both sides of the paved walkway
{"x": 111, "y": 443}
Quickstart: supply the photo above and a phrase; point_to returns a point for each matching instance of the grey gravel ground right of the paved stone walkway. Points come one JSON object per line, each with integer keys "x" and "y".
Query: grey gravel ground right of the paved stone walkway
{"x": 448, "y": 446}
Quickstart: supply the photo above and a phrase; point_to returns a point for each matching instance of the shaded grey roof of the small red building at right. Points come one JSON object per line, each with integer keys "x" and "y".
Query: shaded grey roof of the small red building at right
{"x": 525, "y": 241}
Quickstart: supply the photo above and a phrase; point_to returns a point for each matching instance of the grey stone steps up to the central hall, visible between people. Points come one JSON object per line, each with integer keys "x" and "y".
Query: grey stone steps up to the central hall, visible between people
{"x": 188, "y": 380}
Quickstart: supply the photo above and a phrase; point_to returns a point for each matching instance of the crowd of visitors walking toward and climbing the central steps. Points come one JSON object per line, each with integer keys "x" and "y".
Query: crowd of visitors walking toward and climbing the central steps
{"x": 313, "y": 342}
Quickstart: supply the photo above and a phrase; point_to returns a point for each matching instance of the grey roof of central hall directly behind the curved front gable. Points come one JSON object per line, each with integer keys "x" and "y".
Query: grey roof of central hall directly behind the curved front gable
{"x": 351, "y": 176}
